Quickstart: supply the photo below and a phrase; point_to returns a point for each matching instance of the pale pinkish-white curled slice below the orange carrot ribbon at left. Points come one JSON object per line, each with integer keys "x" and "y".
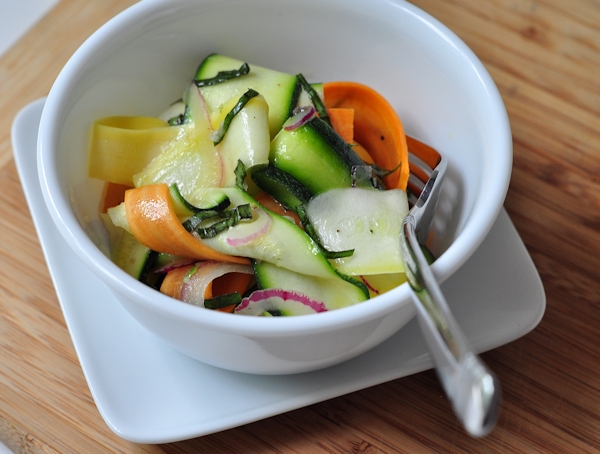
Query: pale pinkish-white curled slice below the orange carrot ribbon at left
{"x": 195, "y": 285}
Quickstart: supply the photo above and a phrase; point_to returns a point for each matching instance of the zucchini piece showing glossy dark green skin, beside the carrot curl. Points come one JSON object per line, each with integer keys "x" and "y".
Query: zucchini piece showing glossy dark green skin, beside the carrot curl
{"x": 315, "y": 155}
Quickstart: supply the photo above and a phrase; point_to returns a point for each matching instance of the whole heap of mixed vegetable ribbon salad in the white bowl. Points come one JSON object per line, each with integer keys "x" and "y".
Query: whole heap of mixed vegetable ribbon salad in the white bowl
{"x": 257, "y": 192}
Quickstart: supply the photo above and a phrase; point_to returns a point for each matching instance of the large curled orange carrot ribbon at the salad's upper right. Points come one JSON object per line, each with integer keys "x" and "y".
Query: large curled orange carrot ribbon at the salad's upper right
{"x": 377, "y": 127}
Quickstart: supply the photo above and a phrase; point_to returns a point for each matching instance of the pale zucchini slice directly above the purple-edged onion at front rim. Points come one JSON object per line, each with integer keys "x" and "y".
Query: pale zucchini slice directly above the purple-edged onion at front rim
{"x": 334, "y": 293}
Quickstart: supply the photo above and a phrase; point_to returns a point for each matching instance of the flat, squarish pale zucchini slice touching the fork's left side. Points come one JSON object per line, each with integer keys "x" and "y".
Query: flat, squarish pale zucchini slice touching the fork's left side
{"x": 366, "y": 220}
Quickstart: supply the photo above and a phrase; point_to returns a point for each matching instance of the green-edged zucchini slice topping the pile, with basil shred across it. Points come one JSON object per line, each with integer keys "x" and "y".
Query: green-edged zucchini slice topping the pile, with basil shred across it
{"x": 279, "y": 89}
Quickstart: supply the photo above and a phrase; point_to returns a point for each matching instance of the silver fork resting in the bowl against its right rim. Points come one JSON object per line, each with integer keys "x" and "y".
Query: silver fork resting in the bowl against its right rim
{"x": 471, "y": 387}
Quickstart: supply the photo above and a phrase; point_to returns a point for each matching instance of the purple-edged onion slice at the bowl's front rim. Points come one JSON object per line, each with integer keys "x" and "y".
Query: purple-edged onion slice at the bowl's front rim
{"x": 282, "y": 302}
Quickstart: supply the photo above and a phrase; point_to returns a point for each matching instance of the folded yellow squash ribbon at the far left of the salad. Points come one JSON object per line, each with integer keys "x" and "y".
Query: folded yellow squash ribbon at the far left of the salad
{"x": 122, "y": 146}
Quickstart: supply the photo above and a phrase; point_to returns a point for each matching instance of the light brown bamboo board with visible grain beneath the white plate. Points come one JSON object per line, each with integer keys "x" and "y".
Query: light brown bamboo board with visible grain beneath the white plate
{"x": 545, "y": 58}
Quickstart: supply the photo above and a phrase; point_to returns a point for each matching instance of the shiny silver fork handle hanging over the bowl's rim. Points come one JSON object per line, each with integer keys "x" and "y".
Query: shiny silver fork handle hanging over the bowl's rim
{"x": 473, "y": 390}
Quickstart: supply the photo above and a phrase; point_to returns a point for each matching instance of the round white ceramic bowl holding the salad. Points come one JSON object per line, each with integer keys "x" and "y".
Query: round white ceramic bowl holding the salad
{"x": 141, "y": 60}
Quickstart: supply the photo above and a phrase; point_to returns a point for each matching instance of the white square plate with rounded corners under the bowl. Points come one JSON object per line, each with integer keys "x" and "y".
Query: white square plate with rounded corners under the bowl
{"x": 149, "y": 393}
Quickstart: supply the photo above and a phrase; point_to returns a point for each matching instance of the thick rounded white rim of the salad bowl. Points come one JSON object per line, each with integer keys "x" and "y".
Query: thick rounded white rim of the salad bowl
{"x": 468, "y": 240}
